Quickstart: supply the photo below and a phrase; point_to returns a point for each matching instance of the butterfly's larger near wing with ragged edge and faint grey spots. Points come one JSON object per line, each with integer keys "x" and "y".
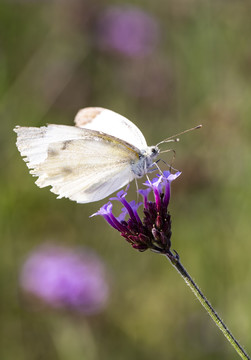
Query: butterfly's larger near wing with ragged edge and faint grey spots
{"x": 80, "y": 164}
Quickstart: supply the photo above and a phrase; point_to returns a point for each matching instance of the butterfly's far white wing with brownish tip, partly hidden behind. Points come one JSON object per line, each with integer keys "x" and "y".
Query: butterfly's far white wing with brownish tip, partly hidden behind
{"x": 111, "y": 123}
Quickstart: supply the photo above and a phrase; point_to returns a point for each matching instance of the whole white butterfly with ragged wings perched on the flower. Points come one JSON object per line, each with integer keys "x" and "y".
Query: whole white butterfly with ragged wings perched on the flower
{"x": 89, "y": 161}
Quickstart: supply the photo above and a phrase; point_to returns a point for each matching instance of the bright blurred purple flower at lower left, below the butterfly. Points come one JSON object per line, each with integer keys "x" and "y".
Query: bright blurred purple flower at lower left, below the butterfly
{"x": 65, "y": 278}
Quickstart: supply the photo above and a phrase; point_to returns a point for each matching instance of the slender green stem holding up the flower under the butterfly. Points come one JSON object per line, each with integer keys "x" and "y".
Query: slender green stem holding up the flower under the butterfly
{"x": 174, "y": 259}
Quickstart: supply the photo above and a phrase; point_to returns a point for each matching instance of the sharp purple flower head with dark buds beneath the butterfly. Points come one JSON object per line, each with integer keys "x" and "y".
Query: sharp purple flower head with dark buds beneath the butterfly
{"x": 153, "y": 231}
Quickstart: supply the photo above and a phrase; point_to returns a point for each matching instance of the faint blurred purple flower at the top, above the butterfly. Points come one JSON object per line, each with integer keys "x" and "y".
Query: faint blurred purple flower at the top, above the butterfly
{"x": 127, "y": 30}
